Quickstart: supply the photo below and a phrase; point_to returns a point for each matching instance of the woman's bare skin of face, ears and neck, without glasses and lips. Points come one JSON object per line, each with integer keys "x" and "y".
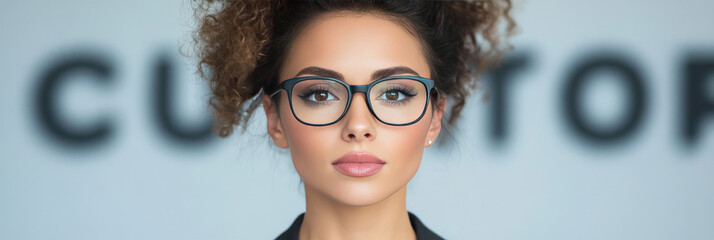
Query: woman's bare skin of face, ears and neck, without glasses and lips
{"x": 340, "y": 206}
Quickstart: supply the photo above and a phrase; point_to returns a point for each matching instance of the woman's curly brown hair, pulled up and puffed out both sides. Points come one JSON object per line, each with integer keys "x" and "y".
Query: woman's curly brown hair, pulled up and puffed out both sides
{"x": 240, "y": 45}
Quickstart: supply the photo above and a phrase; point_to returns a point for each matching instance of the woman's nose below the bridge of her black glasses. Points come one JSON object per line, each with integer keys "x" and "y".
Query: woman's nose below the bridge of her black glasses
{"x": 358, "y": 121}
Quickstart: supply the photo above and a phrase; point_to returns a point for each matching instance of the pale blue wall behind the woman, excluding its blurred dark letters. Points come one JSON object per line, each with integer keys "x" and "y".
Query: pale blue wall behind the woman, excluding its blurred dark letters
{"x": 542, "y": 181}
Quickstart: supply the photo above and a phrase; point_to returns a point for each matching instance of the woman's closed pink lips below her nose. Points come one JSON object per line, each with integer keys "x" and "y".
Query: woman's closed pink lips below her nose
{"x": 358, "y": 164}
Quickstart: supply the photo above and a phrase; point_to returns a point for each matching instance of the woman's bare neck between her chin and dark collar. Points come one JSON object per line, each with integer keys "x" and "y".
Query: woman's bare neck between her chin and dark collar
{"x": 326, "y": 218}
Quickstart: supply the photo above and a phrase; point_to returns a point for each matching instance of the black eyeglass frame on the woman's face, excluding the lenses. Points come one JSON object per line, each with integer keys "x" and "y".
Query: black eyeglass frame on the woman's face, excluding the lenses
{"x": 289, "y": 84}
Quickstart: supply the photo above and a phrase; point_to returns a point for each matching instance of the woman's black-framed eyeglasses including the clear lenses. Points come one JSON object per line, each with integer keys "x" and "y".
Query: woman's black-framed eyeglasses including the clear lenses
{"x": 321, "y": 101}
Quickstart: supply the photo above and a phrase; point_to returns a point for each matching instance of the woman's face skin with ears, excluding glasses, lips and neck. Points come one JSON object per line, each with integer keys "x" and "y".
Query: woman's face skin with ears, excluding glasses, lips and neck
{"x": 355, "y": 46}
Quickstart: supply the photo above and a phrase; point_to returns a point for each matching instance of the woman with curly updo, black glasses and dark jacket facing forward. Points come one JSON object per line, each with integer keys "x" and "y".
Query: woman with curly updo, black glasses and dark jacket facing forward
{"x": 355, "y": 89}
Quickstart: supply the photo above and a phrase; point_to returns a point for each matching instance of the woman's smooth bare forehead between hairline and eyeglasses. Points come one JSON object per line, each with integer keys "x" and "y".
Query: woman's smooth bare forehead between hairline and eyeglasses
{"x": 355, "y": 45}
